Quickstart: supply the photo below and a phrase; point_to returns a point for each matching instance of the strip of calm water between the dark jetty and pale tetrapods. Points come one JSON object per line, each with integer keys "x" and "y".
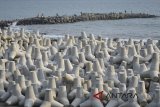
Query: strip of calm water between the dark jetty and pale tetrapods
{"x": 134, "y": 28}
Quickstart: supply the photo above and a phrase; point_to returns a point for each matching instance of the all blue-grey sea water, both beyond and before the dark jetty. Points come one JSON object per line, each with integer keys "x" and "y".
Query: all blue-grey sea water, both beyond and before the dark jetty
{"x": 138, "y": 28}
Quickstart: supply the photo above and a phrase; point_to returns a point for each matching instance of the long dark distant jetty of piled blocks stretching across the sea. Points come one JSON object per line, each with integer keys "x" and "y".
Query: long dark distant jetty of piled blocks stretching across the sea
{"x": 76, "y": 18}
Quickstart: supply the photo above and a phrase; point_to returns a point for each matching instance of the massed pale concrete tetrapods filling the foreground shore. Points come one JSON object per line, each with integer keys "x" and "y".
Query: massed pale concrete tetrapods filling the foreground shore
{"x": 78, "y": 71}
